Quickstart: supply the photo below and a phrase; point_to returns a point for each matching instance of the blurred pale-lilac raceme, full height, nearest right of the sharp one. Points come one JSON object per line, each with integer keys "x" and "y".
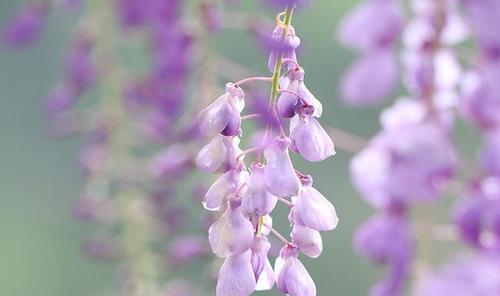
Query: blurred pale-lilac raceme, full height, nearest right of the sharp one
{"x": 412, "y": 158}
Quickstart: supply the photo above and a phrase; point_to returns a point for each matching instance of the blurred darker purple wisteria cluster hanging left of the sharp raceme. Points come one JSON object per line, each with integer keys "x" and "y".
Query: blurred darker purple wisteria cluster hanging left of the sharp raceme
{"x": 131, "y": 191}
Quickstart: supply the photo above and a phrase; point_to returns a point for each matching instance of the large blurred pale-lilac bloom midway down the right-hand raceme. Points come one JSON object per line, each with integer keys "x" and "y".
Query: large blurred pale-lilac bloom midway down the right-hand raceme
{"x": 409, "y": 160}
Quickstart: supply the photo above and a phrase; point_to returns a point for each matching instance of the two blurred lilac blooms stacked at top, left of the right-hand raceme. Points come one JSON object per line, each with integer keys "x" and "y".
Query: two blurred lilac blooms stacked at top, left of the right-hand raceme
{"x": 372, "y": 28}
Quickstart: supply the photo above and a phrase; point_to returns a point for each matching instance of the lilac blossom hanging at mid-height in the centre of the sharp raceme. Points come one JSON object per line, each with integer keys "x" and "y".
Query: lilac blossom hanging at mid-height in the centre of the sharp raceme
{"x": 279, "y": 173}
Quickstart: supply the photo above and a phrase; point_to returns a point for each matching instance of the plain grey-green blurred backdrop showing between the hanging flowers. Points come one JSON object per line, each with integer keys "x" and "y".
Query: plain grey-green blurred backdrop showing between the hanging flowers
{"x": 40, "y": 243}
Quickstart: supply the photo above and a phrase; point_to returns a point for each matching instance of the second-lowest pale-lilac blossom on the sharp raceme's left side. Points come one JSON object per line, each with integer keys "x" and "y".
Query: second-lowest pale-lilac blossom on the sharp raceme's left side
{"x": 232, "y": 234}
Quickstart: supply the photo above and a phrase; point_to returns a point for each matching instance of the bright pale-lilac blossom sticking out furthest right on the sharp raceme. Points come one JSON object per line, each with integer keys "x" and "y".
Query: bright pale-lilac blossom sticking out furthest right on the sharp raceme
{"x": 312, "y": 209}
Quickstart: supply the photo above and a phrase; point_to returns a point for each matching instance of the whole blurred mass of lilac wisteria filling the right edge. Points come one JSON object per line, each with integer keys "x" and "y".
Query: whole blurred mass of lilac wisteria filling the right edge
{"x": 414, "y": 159}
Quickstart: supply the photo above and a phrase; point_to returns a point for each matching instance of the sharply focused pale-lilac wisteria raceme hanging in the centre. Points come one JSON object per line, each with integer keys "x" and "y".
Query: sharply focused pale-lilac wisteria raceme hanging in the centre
{"x": 248, "y": 195}
